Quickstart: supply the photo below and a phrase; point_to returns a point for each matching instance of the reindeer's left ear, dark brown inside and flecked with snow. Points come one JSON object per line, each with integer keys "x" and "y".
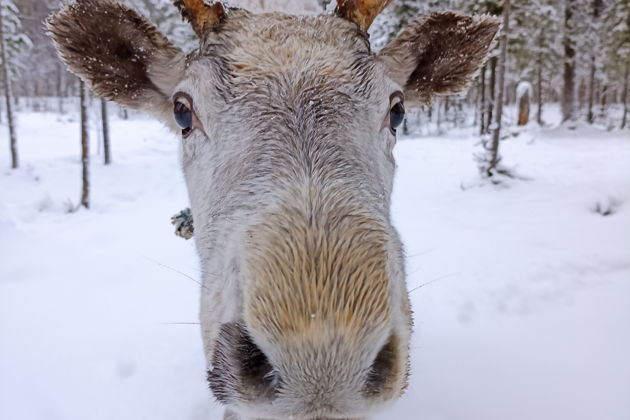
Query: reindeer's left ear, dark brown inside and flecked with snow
{"x": 118, "y": 53}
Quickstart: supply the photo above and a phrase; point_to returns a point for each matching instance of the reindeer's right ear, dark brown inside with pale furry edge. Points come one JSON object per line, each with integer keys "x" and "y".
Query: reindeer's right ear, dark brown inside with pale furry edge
{"x": 438, "y": 54}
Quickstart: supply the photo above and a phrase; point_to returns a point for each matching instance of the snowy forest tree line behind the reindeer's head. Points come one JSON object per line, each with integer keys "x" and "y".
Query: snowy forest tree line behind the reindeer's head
{"x": 572, "y": 52}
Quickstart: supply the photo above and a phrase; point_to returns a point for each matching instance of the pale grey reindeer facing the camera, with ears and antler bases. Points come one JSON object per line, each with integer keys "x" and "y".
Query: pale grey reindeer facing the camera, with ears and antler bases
{"x": 287, "y": 128}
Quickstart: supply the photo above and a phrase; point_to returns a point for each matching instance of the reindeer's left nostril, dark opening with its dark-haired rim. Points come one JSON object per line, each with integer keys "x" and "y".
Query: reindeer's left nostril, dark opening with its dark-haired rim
{"x": 240, "y": 368}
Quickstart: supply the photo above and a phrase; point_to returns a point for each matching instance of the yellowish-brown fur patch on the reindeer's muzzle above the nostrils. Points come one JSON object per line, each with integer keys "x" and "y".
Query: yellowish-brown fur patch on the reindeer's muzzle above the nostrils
{"x": 315, "y": 273}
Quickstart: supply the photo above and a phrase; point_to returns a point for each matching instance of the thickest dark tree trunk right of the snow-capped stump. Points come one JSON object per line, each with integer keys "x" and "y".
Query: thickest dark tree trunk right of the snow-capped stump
{"x": 568, "y": 90}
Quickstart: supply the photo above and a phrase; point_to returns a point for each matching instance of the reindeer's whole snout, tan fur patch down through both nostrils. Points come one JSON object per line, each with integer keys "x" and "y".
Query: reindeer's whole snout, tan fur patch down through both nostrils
{"x": 318, "y": 338}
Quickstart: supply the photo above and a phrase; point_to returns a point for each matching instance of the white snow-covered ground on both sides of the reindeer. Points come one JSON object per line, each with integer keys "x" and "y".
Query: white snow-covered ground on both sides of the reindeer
{"x": 521, "y": 295}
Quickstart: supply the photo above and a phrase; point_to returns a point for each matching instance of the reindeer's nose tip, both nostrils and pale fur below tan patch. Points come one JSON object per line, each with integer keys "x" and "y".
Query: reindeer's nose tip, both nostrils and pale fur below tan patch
{"x": 320, "y": 384}
